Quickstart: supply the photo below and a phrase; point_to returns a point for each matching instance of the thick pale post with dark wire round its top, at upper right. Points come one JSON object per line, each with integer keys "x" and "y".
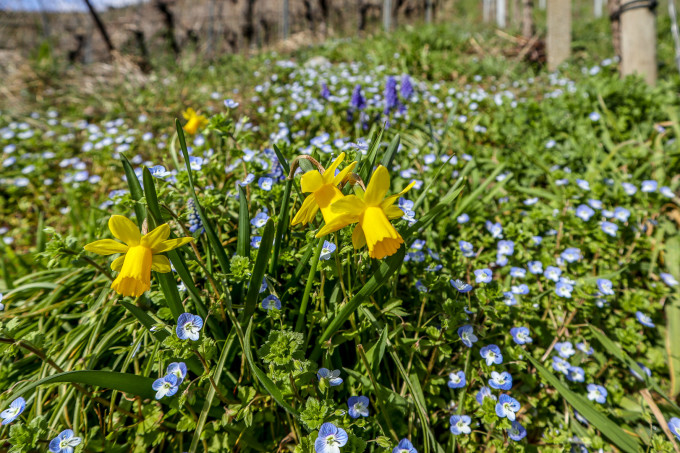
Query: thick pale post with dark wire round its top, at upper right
{"x": 638, "y": 43}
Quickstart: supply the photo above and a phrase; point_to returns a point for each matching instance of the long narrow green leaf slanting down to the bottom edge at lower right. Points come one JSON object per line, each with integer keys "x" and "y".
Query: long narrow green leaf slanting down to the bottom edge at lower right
{"x": 607, "y": 427}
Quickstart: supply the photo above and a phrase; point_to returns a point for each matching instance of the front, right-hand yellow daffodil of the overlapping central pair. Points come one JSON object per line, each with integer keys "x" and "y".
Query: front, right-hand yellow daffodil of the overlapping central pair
{"x": 373, "y": 212}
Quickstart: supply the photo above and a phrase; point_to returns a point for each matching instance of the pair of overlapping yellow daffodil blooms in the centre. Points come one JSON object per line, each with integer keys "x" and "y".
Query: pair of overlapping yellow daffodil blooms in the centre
{"x": 371, "y": 210}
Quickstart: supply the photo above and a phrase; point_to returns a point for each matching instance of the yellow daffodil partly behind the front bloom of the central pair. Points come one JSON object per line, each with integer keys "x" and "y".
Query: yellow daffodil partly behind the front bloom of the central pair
{"x": 324, "y": 191}
